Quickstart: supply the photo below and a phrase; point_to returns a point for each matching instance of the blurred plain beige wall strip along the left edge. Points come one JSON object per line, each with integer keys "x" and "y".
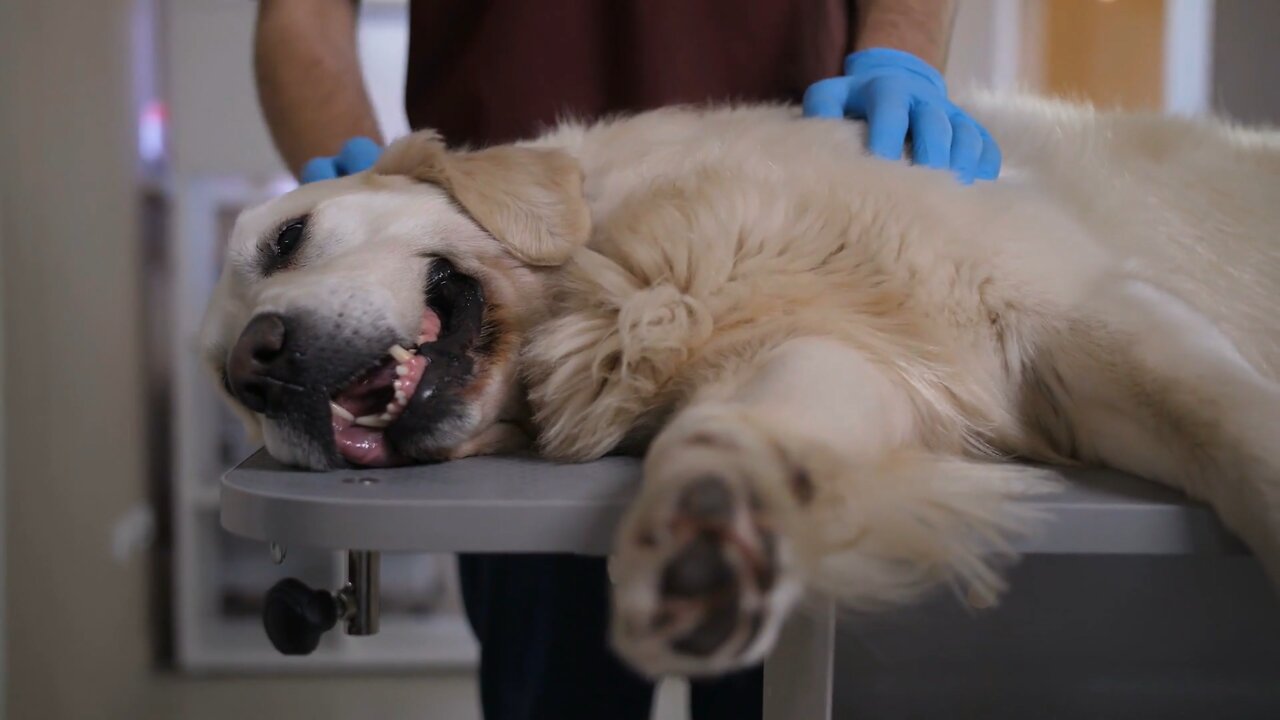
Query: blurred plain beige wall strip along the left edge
{"x": 77, "y": 634}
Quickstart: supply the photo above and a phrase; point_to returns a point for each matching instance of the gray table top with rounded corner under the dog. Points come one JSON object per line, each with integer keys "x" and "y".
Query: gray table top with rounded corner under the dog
{"x": 531, "y": 505}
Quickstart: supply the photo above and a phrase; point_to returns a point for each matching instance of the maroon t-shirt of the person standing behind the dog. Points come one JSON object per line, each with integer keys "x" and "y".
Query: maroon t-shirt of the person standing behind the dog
{"x": 495, "y": 71}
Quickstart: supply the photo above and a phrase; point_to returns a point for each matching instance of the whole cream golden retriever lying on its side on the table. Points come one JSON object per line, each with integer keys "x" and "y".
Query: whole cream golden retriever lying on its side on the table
{"x": 826, "y": 359}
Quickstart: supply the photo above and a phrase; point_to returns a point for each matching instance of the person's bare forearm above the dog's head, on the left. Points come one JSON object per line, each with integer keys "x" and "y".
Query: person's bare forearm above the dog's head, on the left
{"x": 309, "y": 81}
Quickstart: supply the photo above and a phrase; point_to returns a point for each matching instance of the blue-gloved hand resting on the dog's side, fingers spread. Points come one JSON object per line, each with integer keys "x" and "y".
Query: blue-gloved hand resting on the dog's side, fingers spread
{"x": 897, "y": 93}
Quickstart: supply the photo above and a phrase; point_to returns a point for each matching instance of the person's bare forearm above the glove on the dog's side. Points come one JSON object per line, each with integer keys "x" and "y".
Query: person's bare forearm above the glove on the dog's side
{"x": 920, "y": 28}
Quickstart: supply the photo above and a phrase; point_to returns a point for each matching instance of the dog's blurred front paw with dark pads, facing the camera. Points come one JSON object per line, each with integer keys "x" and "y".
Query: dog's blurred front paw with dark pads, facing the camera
{"x": 702, "y": 580}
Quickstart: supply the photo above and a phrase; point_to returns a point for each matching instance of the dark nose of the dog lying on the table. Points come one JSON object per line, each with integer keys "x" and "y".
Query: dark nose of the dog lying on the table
{"x": 260, "y": 364}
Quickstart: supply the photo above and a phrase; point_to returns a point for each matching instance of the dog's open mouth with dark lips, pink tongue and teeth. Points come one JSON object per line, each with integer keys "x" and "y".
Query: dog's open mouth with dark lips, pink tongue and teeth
{"x": 367, "y": 411}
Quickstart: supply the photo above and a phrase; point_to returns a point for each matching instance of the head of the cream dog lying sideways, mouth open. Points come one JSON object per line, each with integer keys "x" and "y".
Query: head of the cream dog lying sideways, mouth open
{"x": 377, "y": 320}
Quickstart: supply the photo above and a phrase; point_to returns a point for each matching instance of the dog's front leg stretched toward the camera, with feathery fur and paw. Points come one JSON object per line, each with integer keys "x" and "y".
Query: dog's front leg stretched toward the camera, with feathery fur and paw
{"x": 799, "y": 473}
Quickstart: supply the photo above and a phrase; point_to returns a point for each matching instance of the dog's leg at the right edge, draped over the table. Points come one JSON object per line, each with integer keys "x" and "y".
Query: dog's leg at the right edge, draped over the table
{"x": 1153, "y": 388}
